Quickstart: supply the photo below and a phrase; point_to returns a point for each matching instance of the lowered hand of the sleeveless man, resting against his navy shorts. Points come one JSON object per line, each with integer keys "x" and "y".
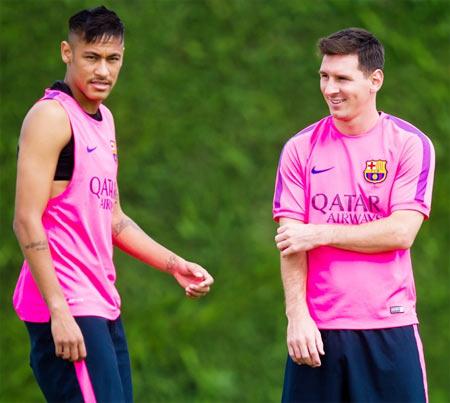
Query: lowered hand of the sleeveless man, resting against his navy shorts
{"x": 69, "y": 341}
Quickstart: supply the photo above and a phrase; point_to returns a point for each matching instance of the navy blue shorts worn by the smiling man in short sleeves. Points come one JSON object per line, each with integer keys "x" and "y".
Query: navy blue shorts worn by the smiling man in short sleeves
{"x": 383, "y": 365}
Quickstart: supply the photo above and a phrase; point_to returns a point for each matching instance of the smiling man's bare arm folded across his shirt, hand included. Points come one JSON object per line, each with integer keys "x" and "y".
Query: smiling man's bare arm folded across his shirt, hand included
{"x": 397, "y": 231}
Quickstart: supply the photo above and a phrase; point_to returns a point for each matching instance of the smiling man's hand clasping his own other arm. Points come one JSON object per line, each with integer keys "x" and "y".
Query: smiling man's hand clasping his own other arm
{"x": 293, "y": 238}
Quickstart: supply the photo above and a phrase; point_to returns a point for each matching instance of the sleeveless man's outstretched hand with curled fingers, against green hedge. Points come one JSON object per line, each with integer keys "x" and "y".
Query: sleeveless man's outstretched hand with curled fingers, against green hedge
{"x": 195, "y": 280}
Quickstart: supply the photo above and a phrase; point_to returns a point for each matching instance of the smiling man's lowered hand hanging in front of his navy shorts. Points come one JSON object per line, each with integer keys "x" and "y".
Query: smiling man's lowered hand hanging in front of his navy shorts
{"x": 304, "y": 341}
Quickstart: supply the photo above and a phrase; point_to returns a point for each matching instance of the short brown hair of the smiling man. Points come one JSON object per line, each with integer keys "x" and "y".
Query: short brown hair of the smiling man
{"x": 355, "y": 41}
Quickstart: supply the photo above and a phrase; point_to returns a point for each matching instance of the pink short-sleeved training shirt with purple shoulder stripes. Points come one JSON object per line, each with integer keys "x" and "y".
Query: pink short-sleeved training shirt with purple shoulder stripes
{"x": 324, "y": 177}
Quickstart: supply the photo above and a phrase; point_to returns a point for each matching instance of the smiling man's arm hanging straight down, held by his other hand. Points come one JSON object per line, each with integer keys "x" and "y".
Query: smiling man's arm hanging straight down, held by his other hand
{"x": 303, "y": 337}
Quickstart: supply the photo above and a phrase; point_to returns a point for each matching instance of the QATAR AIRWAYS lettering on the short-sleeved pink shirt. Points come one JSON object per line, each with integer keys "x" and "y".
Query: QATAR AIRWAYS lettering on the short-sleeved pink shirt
{"x": 347, "y": 208}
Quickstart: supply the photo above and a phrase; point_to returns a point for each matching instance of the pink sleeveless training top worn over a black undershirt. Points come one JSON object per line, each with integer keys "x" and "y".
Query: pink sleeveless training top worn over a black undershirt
{"x": 78, "y": 224}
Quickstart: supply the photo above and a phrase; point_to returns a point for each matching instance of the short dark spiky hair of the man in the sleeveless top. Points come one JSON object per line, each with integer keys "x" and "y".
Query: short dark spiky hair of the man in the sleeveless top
{"x": 96, "y": 24}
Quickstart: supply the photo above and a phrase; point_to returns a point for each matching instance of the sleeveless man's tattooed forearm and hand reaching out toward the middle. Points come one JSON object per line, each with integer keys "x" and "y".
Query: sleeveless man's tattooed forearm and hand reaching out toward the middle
{"x": 129, "y": 237}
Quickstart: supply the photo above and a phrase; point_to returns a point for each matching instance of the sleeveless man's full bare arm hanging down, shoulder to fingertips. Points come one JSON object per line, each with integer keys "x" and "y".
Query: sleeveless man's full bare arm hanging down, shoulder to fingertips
{"x": 45, "y": 131}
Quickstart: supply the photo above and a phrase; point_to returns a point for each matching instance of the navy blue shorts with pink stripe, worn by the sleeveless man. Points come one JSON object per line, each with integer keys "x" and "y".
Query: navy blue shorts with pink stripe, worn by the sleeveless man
{"x": 104, "y": 376}
